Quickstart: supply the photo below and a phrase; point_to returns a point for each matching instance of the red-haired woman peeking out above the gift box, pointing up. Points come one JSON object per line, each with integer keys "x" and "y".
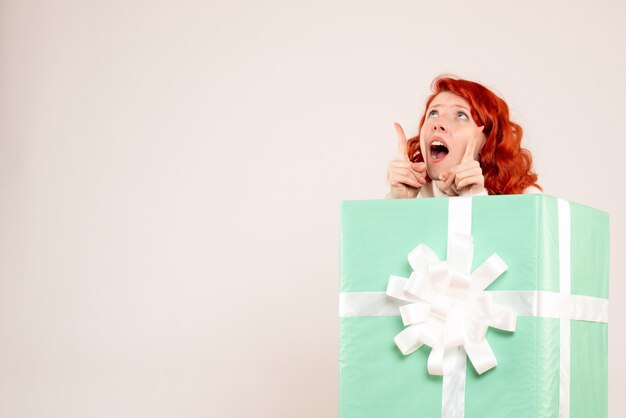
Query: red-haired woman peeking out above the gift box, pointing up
{"x": 466, "y": 146}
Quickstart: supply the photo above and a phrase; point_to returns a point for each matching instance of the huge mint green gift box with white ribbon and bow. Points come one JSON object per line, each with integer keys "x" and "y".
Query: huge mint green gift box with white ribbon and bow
{"x": 544, "y": 268}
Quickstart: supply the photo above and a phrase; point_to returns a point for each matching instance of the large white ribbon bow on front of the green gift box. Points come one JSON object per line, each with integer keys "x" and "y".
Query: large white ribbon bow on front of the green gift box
{"x": 449, "y": 308}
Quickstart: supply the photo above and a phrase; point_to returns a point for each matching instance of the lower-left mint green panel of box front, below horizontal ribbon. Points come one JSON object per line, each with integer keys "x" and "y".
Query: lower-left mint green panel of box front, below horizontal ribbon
{"x": 376, "y": 380}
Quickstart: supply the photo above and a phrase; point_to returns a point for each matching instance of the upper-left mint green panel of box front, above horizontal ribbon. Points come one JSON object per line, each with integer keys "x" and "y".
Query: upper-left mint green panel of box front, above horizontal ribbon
{"x": 377, "y": 236}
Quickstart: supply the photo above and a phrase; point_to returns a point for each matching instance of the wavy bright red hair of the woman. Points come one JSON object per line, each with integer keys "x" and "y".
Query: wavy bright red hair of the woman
{"x": 506, "y": 165}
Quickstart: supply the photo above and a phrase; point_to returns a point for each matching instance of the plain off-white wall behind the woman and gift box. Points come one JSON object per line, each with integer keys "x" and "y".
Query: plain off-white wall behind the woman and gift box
{"x": 171, "y": 172}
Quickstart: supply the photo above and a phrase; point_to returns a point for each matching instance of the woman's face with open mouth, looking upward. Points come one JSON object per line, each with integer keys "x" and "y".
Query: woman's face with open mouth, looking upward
{"x": 448, "y": 127}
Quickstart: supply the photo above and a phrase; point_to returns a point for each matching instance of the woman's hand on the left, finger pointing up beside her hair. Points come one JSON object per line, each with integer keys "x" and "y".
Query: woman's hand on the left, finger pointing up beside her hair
{"x": 405, "y": 177}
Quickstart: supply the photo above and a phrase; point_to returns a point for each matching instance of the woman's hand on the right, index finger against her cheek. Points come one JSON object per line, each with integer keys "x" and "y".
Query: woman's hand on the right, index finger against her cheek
{"x": 466, "y": 179}
